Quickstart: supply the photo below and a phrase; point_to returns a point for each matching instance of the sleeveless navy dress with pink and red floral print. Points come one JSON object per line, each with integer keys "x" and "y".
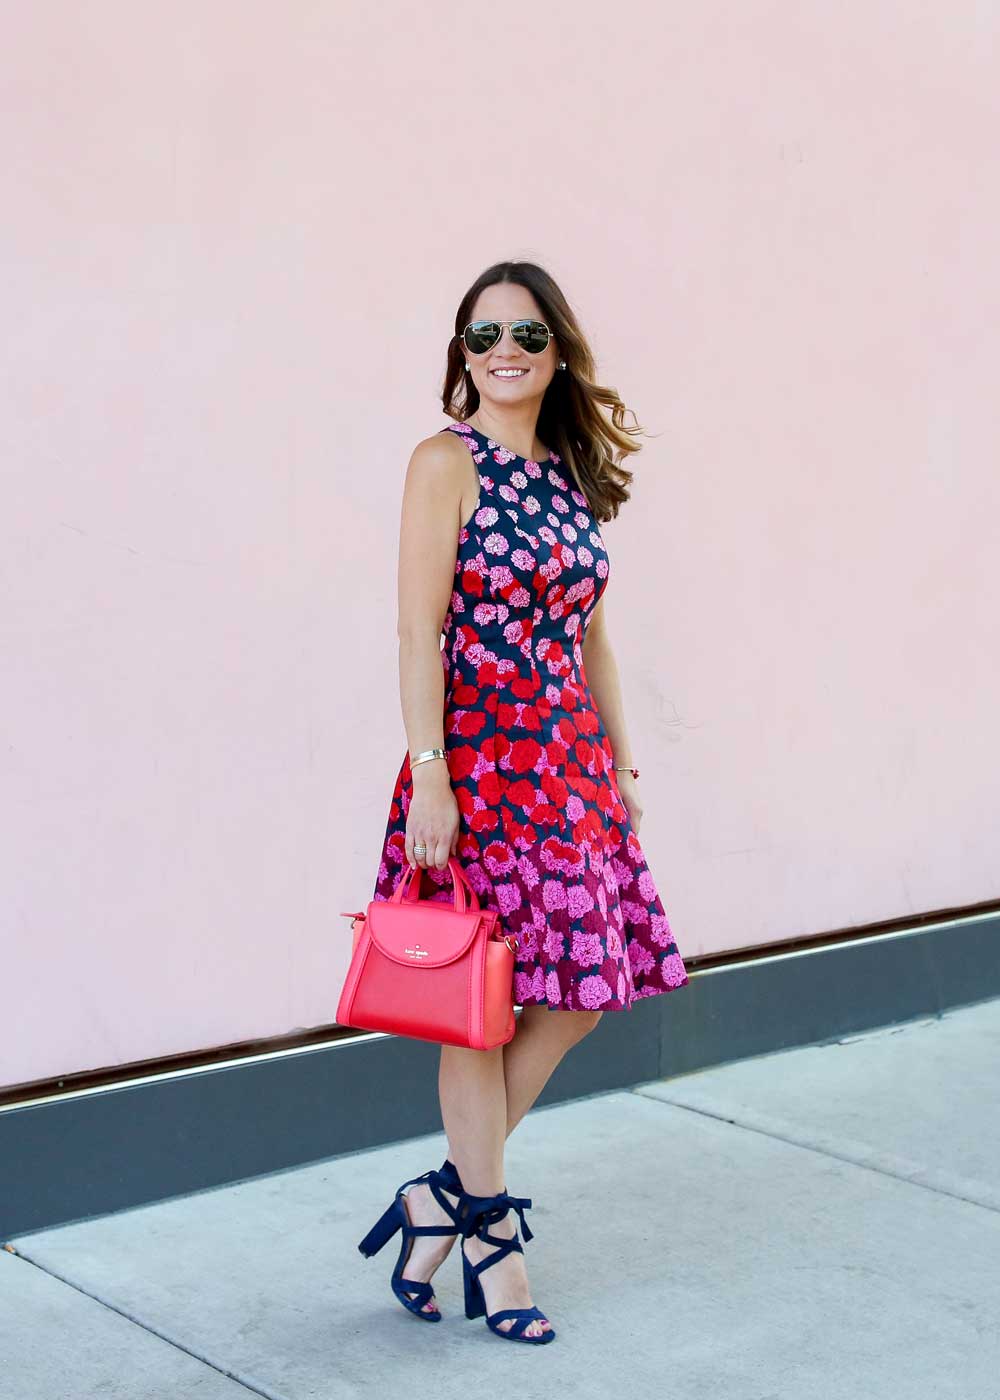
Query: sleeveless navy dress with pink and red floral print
{"x": 544, "y": 835}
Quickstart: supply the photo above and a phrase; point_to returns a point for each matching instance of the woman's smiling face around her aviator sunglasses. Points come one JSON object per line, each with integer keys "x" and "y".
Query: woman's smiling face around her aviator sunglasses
{"x": 508, "y": 376}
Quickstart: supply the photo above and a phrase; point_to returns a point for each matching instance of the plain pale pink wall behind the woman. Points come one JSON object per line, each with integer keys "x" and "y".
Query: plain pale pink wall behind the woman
{"x": 233, "y": 246}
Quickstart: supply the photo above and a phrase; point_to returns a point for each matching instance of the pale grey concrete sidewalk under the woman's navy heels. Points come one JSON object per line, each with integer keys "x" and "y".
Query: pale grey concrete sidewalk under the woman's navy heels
{"x": 820, "y": 1223}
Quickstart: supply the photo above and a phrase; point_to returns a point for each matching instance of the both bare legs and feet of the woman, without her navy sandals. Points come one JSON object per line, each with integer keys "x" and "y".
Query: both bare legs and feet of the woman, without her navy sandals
{"x": 485, "y": 1094}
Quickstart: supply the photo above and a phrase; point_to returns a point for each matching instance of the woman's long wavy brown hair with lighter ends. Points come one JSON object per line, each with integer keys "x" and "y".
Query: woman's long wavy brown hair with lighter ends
{"x": 571, "y": 422}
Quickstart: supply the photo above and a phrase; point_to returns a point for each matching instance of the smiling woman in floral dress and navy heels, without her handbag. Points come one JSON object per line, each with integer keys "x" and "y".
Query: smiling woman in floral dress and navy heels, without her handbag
{"x": 519, "y": 758}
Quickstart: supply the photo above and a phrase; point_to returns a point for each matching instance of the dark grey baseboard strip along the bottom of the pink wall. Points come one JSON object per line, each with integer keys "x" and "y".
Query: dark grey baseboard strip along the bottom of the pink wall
{"x": 92, "y": 1153}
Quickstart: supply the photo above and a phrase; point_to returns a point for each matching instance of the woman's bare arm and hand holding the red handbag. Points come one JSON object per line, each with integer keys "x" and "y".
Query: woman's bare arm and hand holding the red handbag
{"x": 428, "y": 549}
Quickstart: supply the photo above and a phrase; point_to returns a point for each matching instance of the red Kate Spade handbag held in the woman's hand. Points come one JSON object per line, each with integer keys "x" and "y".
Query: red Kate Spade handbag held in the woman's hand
{"x": 431, "y": 971}
